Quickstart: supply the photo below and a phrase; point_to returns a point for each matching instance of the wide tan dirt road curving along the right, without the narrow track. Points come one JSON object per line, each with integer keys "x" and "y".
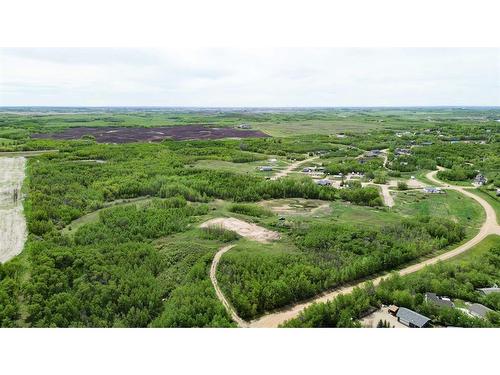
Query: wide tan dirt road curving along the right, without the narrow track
{"x": 490, "y": 226}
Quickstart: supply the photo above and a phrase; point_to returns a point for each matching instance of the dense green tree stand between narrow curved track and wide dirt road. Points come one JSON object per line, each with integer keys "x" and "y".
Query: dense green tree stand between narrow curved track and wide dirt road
{"x": 325, "y": 256}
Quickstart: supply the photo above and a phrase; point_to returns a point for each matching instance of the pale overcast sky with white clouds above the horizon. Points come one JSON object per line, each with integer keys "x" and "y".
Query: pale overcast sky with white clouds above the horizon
{"x": 267, "y": 77}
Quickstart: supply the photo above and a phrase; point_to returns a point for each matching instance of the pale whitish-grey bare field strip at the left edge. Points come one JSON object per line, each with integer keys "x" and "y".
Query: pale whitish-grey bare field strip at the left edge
{"x": 12, "y": 222}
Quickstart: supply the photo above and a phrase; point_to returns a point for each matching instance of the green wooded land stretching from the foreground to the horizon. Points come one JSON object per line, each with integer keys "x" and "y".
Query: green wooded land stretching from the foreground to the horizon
{"x": 114, "y": 237}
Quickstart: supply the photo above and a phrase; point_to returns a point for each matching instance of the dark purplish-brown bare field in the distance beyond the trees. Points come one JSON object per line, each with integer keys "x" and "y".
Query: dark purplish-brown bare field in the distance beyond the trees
{"x": 127, "y": 135}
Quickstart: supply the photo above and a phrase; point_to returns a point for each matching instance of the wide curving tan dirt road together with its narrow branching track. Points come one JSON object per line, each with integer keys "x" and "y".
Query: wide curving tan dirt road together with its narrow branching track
{"x": 276, "y": 318}
